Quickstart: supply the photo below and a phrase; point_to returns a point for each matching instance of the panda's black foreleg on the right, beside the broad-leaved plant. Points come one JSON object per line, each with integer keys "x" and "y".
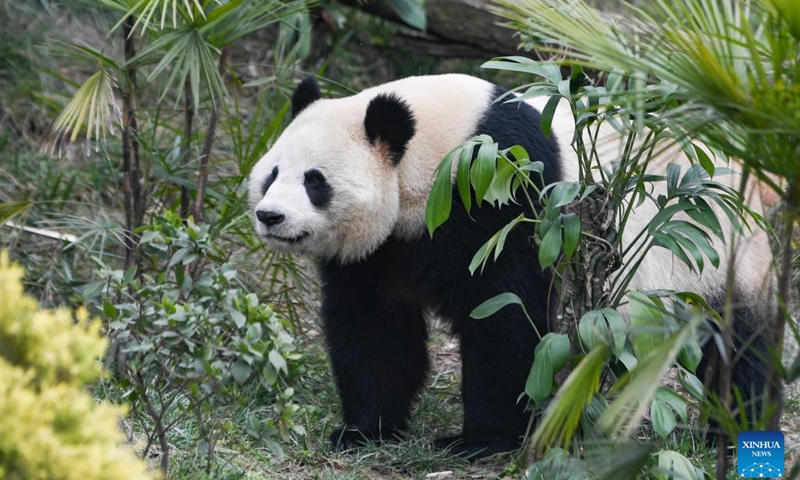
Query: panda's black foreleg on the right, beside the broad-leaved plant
{"x": 496, "y": 356}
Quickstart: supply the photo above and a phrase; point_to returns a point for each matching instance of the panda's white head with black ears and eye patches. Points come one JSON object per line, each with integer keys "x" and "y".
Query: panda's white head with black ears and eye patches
{"x": 329, "y": 185}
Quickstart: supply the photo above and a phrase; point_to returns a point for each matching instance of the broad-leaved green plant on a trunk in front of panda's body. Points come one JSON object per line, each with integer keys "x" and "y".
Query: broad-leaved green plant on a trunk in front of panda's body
{"x": 579, "y": 229}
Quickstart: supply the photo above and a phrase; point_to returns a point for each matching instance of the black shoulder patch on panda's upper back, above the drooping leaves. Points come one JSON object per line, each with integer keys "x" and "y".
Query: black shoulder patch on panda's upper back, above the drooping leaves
{"x": 519, "y": 123}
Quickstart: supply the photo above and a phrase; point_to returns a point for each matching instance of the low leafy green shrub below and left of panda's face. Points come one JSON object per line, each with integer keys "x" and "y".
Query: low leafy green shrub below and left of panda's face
{"x": 190, "y": 337}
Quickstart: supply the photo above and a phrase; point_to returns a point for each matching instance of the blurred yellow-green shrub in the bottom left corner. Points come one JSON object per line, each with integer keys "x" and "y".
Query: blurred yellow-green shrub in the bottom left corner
{"x": 50, "y": 427}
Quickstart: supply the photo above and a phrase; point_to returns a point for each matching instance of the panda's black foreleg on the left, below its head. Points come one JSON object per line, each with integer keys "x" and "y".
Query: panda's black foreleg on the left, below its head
{"x": 377, "y": 348}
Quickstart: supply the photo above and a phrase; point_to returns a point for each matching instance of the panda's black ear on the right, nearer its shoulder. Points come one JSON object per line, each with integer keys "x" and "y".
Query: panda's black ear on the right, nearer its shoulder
{"x": 389, "y": 122}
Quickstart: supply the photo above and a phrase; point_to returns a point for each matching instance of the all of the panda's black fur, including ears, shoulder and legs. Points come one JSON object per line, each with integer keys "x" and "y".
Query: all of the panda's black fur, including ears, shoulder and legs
{"x": 374, "y": 309}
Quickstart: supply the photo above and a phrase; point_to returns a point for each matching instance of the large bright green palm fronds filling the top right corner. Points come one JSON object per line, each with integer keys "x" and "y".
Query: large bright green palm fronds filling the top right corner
{"x": 735, "y": 57}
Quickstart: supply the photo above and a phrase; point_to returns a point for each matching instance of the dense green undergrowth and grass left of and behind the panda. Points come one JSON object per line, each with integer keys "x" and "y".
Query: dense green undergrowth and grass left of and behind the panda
{"x": 186, "y": 99}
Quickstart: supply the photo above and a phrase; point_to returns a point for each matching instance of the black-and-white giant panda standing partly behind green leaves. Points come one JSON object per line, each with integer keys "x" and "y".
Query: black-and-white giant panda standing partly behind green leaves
{"x": 347, "y": 183}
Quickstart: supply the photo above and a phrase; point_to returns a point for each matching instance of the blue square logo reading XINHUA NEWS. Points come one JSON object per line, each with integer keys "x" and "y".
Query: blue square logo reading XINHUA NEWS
{"x": 760, "y": 454}
